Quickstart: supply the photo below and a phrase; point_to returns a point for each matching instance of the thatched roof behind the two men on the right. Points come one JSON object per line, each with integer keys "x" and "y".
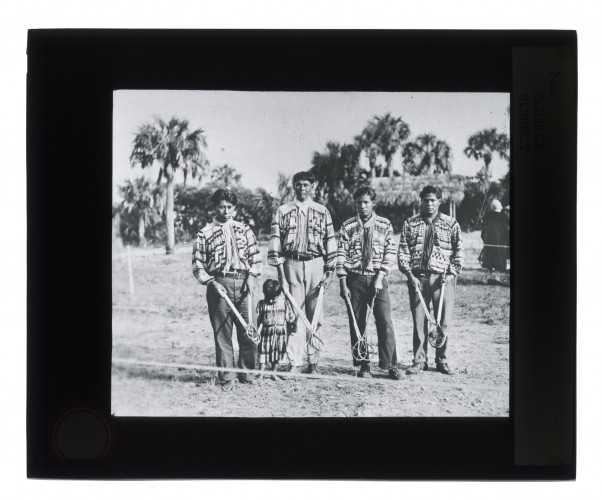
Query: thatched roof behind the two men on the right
{"x": 405, "y": 190}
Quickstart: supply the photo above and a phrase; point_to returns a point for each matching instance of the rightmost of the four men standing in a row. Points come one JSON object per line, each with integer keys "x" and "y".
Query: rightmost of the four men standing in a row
{"x": 430, "y": 254}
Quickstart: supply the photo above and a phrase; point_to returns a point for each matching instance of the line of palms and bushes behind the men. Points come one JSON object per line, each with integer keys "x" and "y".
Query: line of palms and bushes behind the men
{"x": 164, "y": 211}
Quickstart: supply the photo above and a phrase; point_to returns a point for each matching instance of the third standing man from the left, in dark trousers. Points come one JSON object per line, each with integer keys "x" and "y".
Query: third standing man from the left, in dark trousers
{"x": 366, "y": 255}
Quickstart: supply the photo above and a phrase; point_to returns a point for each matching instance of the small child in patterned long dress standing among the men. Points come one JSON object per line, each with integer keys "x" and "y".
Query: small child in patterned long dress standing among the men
{"x": 276, "y": 322}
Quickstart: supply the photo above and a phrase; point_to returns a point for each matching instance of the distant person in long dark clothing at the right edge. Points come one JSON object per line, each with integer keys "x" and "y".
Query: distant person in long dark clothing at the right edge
{"x": 495, "y": 243}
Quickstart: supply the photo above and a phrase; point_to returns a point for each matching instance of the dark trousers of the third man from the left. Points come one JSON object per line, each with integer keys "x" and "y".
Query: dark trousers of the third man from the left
{"x": 361, "y": 297}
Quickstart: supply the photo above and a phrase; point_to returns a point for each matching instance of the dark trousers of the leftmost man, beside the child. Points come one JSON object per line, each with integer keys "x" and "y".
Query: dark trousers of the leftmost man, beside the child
{"x": 222, "y": 320}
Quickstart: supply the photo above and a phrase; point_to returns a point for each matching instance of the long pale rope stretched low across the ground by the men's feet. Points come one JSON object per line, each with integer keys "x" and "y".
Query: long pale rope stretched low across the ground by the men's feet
{"x": 338, "y": 378}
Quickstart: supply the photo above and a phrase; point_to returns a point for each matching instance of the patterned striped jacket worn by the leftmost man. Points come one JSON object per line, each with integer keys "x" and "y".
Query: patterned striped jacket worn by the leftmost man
{"x": 210, "y": 252}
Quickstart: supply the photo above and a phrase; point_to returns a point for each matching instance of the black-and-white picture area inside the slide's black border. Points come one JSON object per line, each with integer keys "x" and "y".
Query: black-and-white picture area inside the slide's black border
{"x": 310, "y": 254}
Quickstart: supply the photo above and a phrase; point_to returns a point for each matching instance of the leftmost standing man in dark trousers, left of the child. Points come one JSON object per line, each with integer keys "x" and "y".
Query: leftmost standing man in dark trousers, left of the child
{"x": 226, "y": 258}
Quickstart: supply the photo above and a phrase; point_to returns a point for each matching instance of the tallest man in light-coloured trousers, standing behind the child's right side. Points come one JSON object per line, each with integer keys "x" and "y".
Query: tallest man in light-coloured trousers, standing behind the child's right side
{"x": 303, "y": 248}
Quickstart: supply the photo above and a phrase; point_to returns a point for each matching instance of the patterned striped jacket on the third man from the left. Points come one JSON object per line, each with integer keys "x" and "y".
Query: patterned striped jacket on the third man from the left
{"x": 350, "y": 249}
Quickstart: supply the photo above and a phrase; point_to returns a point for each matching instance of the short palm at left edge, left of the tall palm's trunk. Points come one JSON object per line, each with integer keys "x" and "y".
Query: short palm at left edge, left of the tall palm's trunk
{"x": 140, "y": 201}
